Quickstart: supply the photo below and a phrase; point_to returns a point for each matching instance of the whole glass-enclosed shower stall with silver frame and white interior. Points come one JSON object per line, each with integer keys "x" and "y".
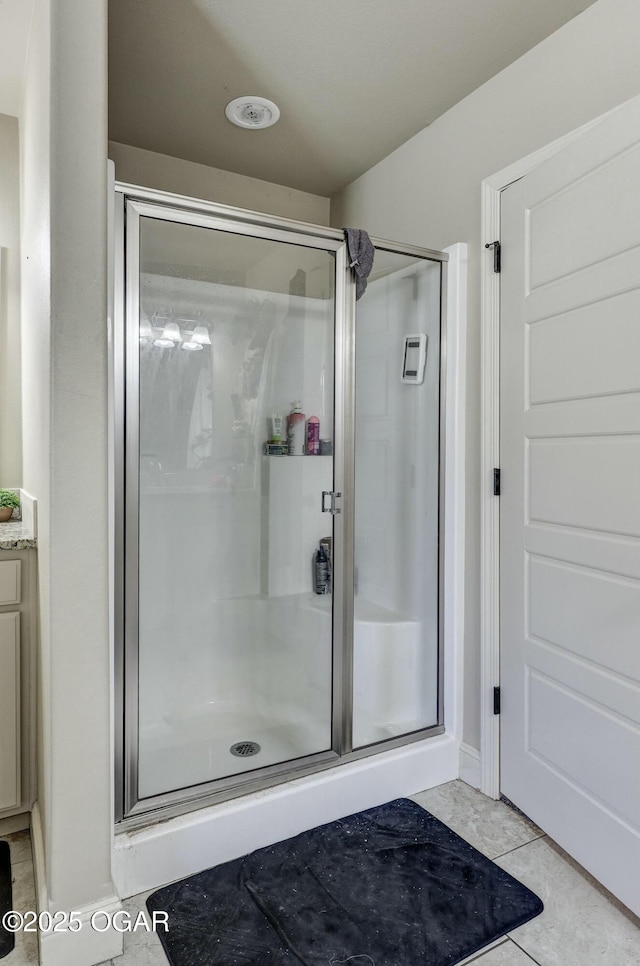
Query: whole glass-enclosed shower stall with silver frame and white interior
{"x": 233, "y": 673}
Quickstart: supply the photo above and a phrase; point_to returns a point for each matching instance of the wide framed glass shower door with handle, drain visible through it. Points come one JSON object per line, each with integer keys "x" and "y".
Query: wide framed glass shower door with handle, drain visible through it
{"x": 229, "y": 643}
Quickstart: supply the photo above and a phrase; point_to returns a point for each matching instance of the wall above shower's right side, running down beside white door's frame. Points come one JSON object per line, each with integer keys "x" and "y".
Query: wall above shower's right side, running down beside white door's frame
{"x": 428, "y": 193}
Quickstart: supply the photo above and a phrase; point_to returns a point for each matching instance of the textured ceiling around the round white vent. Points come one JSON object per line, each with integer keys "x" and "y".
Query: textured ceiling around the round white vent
{"x": 354, "y": 79}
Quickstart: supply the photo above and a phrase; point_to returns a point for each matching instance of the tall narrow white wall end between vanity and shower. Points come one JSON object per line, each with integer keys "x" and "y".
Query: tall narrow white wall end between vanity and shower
{"x": 80, "y": 832}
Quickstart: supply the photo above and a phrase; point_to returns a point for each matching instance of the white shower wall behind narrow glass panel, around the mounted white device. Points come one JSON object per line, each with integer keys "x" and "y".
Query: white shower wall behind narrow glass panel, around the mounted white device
{"x": 397, "y": 427}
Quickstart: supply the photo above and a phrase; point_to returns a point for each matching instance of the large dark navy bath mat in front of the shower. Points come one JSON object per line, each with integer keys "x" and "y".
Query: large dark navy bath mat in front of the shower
{"x": 391, "y": 886}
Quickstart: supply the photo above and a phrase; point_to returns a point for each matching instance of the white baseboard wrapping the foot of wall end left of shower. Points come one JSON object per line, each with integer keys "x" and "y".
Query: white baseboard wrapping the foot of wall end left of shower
{"x": 85, "y": 947}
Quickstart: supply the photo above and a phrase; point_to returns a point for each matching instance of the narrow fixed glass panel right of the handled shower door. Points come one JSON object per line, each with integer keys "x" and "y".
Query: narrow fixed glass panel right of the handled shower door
{"x": 397, "y": 526}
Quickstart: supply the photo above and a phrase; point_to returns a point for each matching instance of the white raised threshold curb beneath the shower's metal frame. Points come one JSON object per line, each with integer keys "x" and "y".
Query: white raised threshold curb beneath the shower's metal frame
{"x": 165, "y": 850}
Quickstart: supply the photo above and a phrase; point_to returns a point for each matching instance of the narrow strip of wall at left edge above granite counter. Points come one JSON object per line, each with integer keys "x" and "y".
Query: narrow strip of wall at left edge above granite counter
{"x": 10, "y": 412}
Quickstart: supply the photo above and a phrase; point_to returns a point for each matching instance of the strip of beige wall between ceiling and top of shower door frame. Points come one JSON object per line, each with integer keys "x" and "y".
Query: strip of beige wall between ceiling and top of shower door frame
{"x": 151, "y": 170}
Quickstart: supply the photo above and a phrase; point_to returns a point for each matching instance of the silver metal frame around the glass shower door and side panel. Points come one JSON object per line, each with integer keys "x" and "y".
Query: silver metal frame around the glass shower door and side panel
{"x": 131, "y": 204}
